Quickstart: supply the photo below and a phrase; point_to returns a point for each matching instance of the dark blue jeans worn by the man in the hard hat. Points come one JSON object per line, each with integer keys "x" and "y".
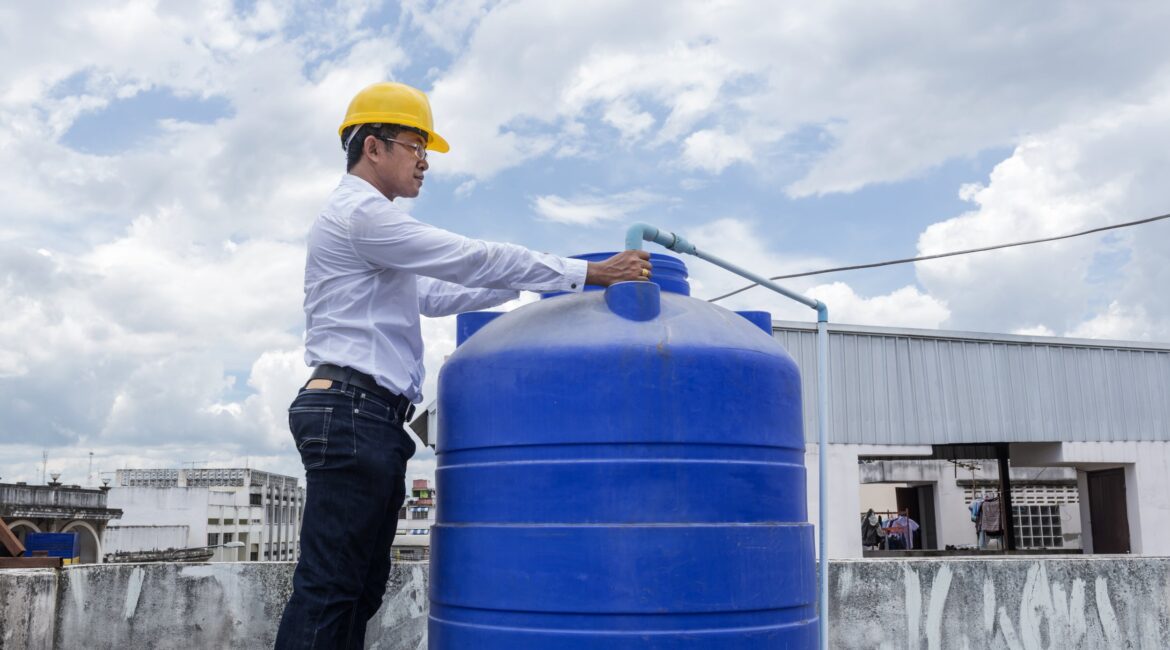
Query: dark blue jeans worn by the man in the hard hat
{"x": 355, "y": 453}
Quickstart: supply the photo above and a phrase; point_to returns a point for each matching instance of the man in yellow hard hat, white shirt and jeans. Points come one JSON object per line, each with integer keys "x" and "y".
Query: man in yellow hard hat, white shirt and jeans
{"x": 371, "y": 272}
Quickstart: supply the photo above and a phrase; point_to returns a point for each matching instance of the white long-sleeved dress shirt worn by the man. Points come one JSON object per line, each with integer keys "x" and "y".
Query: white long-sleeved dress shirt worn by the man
{"x": 373, "y": 269}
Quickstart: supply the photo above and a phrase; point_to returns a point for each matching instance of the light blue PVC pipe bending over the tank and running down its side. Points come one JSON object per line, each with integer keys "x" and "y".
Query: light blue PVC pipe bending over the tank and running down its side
{"x": 635, "y": 237}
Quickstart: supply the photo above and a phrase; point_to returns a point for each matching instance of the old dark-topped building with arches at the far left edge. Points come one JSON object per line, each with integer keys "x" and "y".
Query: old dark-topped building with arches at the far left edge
{"x": 59, "y": 509}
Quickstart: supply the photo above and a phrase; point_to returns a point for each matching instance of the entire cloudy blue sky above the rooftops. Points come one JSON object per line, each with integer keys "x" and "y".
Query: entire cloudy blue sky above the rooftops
{"x": 161, "y": 163}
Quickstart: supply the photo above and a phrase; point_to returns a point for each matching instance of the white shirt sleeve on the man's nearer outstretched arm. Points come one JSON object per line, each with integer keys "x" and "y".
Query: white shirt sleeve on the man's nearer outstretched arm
{"x": 386, "y": 237}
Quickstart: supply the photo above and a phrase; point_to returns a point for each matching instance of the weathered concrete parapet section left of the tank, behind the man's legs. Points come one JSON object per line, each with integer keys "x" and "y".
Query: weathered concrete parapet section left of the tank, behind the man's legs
{"x": 161, "y": 606}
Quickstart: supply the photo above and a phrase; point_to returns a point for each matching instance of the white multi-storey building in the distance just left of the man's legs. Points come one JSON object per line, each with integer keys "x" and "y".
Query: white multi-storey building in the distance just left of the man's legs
{"x": 242, "y": 515}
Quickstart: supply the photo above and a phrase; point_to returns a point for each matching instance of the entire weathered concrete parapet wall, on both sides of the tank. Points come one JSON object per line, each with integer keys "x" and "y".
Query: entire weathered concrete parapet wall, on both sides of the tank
{"x": 918, "y": 604}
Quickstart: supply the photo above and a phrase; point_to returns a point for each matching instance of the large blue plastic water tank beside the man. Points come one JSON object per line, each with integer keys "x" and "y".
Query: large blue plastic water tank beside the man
{"x": 622, "y": 469}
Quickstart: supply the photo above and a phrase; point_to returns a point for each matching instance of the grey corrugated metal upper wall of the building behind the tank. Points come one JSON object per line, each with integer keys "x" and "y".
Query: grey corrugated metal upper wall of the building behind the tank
{"x": 900, "y": 386}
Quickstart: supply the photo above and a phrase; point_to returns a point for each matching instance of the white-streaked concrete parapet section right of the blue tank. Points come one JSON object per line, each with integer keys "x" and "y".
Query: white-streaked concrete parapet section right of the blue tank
{"x": 1002, "y": 604}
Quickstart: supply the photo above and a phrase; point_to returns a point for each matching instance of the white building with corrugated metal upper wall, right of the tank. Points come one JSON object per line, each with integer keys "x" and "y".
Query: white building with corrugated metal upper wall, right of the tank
{"x": 1073, "y": 432}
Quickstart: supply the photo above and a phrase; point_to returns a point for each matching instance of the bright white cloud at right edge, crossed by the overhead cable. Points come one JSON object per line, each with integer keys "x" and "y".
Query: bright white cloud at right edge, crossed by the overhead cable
{"x": 1063, "y": 181}
